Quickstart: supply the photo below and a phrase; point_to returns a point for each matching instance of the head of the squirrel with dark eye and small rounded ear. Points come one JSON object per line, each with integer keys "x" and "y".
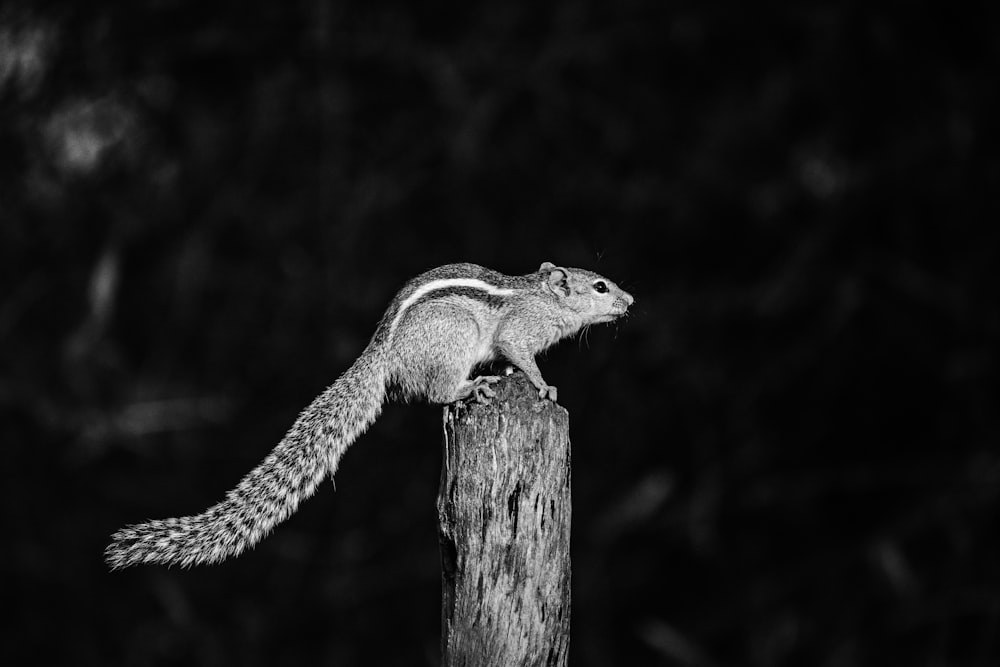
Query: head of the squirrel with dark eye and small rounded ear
{"x": 592, "y": 297}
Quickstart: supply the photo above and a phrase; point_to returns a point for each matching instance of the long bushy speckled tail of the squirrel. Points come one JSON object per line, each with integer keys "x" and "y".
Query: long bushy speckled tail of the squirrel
{"x": 272, "y": 491}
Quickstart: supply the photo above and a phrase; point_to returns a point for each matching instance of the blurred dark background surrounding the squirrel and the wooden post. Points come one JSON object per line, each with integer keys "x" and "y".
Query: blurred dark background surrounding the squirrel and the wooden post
{"x": 788, "y": 455}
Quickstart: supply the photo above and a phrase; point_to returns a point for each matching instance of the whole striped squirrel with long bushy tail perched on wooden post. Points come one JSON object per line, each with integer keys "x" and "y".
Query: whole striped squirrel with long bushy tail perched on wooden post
{"x": 438, "y": 328}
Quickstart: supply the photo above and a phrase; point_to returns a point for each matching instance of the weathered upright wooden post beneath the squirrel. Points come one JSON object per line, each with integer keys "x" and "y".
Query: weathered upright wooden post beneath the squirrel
{"x": 504, "y": 523}
